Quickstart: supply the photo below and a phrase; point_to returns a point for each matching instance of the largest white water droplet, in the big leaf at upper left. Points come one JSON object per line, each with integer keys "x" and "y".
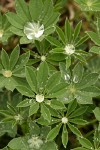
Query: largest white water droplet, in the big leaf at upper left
{"x": 33, "y": 30}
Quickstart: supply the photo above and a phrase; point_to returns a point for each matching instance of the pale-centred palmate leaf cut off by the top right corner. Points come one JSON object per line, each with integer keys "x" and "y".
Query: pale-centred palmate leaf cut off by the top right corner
{"x": 89, "y": 5}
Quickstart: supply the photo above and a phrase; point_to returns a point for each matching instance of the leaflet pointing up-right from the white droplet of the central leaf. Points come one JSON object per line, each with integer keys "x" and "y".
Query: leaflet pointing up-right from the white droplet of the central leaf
{"x": 53, "y": 80}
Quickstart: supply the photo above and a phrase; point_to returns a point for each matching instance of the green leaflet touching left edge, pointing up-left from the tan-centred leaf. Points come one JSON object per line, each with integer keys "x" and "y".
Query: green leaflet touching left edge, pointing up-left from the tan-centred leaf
{"x": 5, "y": 59}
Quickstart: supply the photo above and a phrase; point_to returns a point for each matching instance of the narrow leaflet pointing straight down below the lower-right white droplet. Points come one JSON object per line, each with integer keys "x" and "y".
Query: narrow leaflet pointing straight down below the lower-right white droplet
{"x": 64, "y": 136}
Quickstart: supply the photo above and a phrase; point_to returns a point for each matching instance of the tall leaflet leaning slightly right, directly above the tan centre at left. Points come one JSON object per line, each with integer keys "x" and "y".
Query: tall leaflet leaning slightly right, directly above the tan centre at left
{"x": 14, "y": 57}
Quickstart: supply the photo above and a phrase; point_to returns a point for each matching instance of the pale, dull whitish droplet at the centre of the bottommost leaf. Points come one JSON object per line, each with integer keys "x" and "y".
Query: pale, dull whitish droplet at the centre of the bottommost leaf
{"x": 35, "y": 142}
